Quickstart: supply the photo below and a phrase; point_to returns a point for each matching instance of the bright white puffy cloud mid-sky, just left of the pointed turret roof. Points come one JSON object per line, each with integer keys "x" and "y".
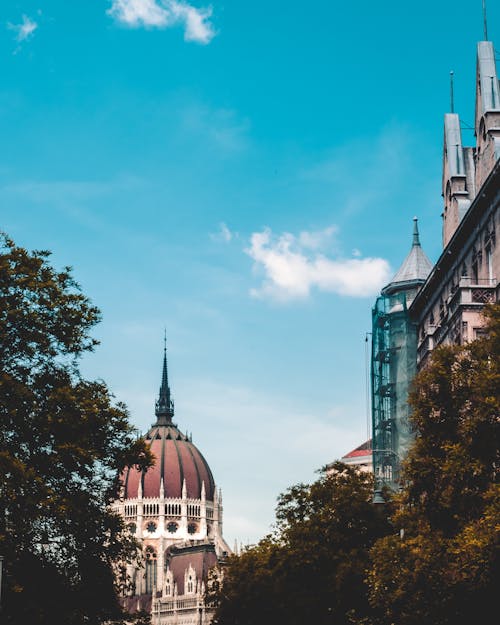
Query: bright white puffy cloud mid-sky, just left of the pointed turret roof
{"x": 290, "y": 271}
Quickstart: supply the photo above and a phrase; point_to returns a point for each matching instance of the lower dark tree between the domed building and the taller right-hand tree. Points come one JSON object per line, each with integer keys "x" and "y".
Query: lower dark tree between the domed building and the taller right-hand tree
{"x": 312, "y": 569}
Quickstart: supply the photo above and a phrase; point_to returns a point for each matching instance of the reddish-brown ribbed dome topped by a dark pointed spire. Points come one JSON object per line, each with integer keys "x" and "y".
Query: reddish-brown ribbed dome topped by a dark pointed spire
{"x": 178, "y": 461}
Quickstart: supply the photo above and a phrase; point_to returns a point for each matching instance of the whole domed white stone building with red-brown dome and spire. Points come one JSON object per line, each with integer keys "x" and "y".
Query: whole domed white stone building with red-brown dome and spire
{"x": 175, "y": 512}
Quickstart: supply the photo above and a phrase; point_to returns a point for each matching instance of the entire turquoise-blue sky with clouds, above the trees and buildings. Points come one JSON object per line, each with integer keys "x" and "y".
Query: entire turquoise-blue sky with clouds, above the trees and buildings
{"x": 245, "y": 175}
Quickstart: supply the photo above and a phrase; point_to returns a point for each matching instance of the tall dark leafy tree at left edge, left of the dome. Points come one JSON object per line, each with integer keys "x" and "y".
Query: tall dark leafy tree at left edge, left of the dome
{"x": 63, "y": 444}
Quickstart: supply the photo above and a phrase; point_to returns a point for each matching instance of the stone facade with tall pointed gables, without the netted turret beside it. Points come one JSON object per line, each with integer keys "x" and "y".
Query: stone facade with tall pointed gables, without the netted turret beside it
{"x": 447, "y": 309}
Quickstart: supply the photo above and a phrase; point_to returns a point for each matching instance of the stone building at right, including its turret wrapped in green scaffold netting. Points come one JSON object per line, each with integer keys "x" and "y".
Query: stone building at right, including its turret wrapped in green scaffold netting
{"x": 425, "y": 306}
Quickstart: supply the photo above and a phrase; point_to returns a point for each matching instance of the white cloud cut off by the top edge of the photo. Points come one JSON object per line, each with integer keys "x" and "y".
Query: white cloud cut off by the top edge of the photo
{"x": 165, "y": 14}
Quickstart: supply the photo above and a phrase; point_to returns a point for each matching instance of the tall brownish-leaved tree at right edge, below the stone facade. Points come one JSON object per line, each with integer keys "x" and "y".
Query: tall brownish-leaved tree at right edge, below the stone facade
{"x": 446, "y": 568}
